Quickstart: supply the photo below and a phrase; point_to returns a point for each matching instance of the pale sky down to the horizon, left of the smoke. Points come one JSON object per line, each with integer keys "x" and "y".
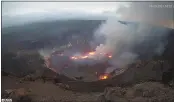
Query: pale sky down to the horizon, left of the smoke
{"x": 16, "y": 13}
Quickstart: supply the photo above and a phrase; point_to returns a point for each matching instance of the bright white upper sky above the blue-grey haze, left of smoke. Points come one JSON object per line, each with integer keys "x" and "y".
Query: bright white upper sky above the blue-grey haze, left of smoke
{"x": 20, "y": 8}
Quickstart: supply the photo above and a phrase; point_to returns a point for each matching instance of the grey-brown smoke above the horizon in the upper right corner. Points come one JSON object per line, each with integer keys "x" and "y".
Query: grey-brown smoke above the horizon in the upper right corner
{"x": 158, "y": 13}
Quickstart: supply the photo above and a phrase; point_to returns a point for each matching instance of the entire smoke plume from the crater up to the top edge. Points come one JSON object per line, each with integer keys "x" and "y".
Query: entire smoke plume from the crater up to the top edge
{"x": 128, "y": 41}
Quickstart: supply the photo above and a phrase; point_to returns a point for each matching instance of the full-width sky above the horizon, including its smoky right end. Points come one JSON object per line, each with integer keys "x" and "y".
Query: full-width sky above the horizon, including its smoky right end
{"x": 159, "y": 13}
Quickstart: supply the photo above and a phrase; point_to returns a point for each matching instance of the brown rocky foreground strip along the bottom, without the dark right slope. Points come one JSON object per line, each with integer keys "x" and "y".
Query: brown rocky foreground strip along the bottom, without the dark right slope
{"x": 38, "y": 91}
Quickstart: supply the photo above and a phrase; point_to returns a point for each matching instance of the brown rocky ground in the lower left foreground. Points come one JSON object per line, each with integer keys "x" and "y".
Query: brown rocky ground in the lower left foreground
{"x": 38, "y": 91}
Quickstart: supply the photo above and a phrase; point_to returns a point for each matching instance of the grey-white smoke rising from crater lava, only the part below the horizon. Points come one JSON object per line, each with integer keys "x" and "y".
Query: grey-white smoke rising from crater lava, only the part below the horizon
{"x": 130, "y": 41}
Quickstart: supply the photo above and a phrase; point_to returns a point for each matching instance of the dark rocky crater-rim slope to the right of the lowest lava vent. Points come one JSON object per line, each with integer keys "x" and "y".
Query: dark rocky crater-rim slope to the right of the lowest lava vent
{"x": 143, "y": 71}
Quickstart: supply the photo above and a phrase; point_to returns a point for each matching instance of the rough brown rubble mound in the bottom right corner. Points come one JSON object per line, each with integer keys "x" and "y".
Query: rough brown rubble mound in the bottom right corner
{"x": 144, "y": 92}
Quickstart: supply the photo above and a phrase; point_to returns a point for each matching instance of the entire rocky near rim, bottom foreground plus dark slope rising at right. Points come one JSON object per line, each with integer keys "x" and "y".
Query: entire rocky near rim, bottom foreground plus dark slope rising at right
{"x": 142, "y": 79}
